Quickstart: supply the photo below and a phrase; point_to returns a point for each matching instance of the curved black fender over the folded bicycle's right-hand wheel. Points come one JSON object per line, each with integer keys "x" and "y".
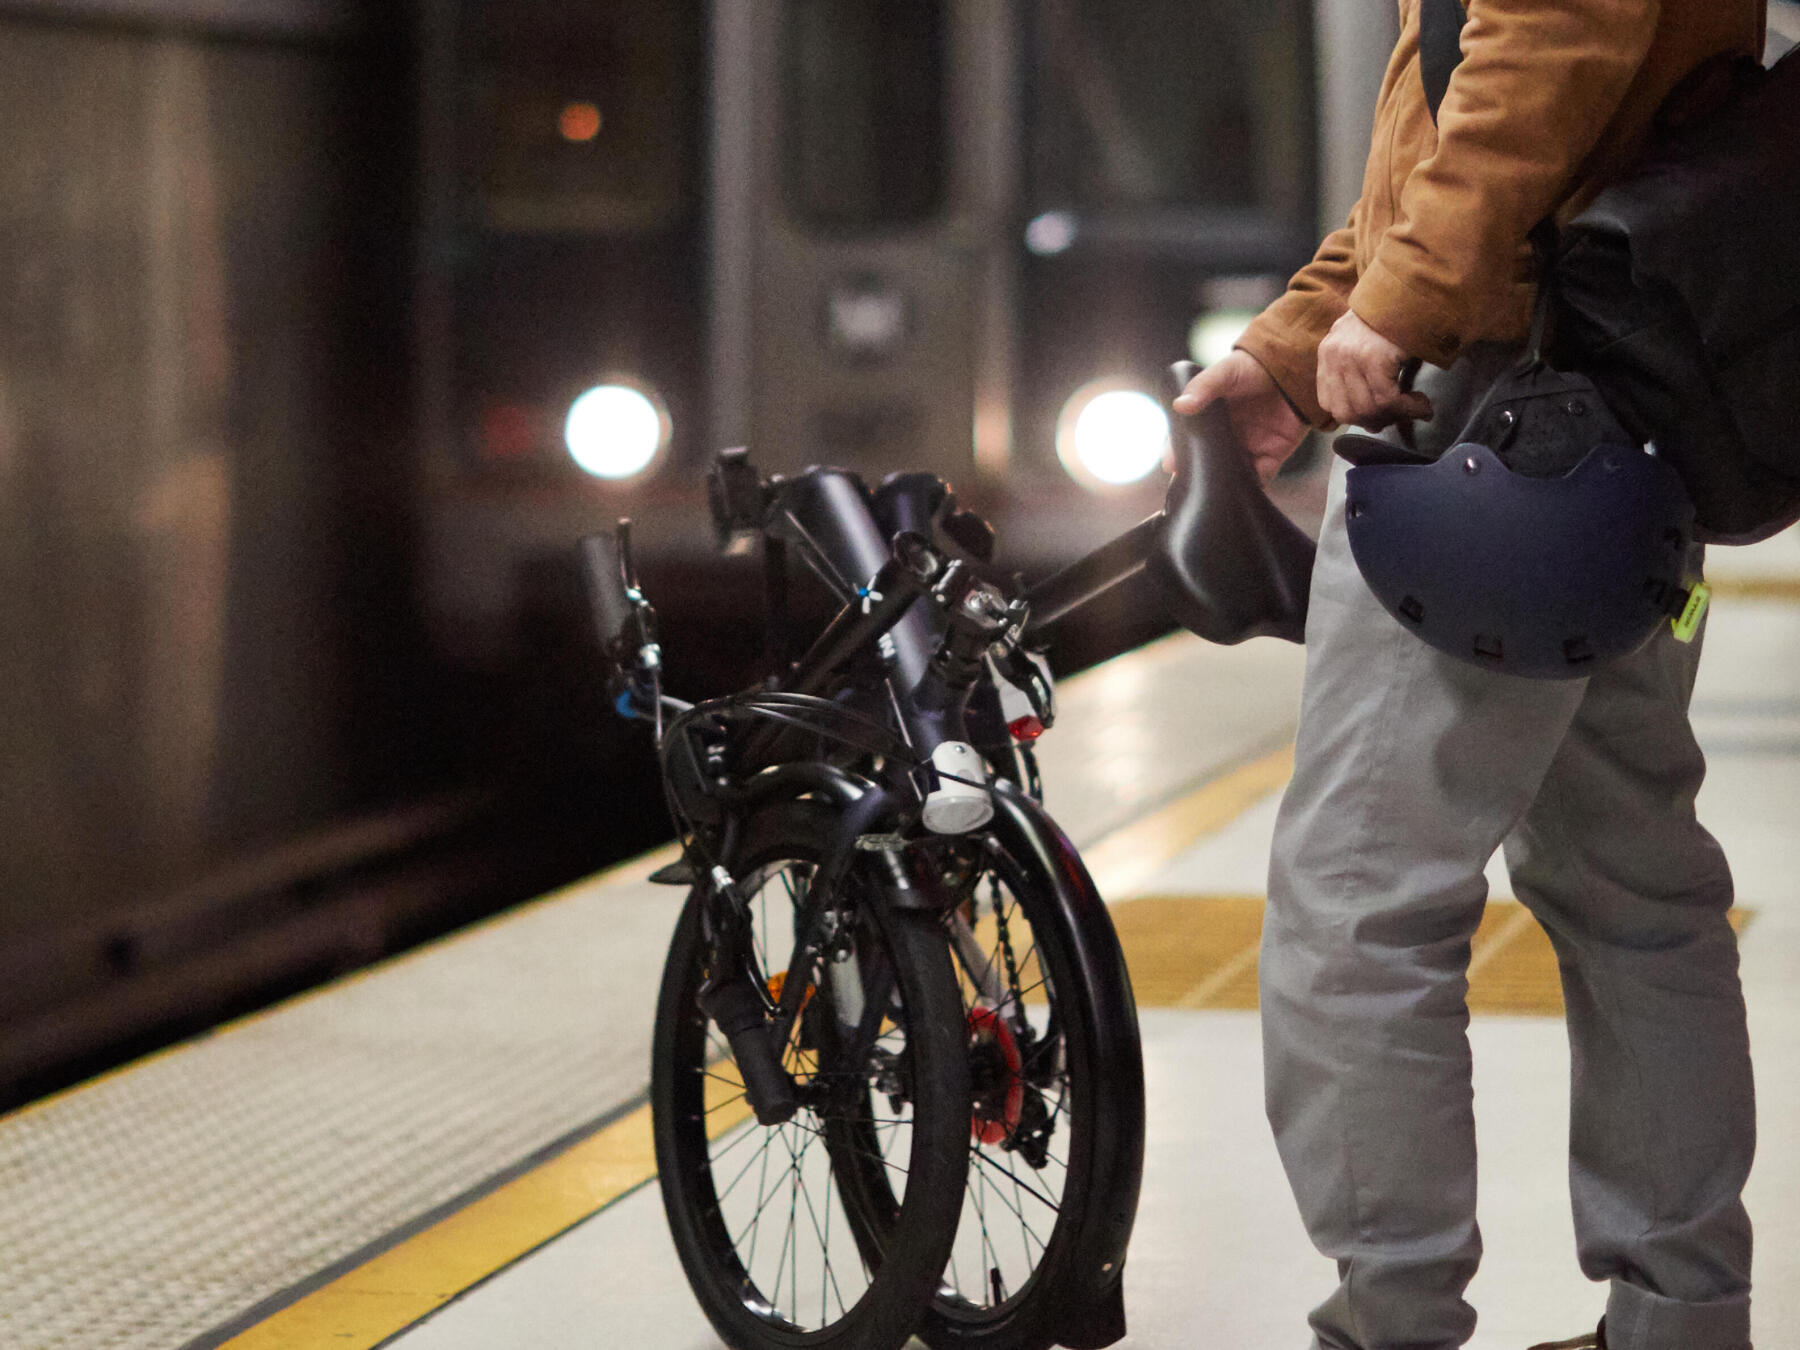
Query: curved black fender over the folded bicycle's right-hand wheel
{"x": 1095, "y": 1311}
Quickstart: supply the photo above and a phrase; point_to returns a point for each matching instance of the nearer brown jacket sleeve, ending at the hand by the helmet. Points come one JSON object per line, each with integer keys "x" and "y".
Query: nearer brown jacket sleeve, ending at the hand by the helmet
{"x": 1538, "y": 85}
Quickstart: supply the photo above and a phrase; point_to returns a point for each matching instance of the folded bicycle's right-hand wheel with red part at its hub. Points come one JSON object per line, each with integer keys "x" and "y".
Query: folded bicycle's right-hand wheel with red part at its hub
{"x": 1056, "y": 1133}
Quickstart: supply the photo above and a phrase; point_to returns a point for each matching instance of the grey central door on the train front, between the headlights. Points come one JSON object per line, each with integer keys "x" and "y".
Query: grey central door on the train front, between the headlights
{"x": 861, "y": 237}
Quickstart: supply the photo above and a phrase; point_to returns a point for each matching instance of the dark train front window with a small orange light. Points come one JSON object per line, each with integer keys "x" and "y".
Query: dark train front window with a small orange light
{"x": 586, "y": 114}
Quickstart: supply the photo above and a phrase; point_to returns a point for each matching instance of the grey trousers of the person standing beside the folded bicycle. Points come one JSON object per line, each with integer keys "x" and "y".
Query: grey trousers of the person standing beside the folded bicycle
{"x": 1410, "y": 771}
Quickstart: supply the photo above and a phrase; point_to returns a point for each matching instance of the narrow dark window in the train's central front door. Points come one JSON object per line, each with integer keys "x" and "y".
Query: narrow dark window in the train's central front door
{"x": 865, "y": 114}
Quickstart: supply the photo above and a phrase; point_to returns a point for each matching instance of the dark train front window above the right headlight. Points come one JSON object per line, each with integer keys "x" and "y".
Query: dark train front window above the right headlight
{"x": 1173, "y": 103}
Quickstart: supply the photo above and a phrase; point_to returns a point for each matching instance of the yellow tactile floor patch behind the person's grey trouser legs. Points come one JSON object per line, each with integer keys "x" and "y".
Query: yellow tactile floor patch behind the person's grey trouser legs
{"x": 1191, "y": 951}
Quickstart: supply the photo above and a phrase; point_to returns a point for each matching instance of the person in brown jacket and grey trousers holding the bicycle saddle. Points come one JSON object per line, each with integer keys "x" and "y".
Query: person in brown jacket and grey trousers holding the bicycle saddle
{"x": 1414, "y": 768}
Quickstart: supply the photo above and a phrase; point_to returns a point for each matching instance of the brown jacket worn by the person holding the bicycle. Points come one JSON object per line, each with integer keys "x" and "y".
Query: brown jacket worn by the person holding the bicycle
{"x": 1551, "y": 102}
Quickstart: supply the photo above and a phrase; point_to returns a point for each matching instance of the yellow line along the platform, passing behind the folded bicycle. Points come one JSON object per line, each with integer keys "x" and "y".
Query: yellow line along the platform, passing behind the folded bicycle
{"x": 411, "y": 1281}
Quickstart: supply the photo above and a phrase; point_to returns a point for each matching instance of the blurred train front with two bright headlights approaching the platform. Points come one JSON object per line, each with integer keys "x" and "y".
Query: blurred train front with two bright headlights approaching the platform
{"x": 958, "y": 237}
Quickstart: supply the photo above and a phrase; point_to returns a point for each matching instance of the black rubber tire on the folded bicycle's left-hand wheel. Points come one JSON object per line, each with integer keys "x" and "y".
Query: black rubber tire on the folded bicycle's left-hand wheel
{"x": 926, "y": 1223}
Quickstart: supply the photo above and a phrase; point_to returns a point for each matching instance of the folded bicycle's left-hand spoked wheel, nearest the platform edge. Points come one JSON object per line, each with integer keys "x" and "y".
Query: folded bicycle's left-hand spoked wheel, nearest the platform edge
{"x": 829, "y": 1230}
